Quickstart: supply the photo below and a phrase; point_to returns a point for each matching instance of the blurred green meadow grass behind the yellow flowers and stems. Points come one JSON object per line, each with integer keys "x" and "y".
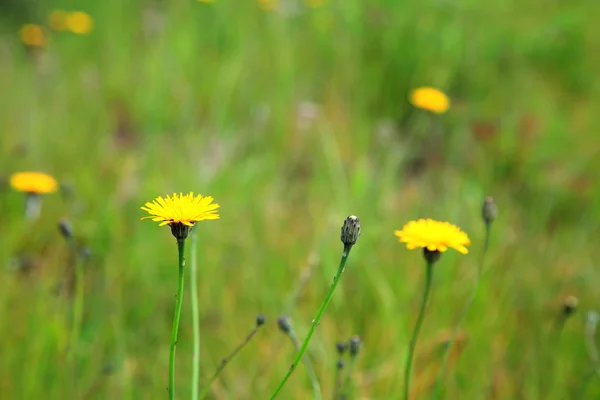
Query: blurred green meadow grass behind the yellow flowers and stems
{"x": 293, "y": 116}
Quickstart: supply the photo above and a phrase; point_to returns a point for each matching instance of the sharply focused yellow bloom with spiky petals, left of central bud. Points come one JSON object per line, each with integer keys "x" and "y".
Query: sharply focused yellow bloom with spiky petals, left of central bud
{"x": 183, "y": 209}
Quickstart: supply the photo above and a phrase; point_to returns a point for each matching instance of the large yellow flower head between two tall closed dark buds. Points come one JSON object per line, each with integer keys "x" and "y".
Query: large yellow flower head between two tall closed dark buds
{"x": 433, "y": 235}
